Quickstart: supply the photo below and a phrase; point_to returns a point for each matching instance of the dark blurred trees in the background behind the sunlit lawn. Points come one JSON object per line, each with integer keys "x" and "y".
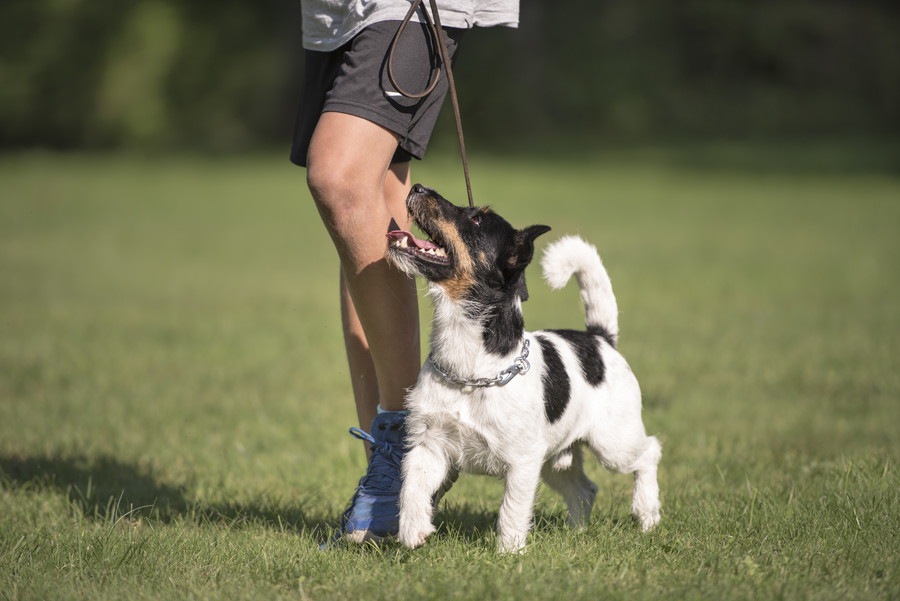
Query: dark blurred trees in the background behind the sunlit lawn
{"x": 223, "y": 75}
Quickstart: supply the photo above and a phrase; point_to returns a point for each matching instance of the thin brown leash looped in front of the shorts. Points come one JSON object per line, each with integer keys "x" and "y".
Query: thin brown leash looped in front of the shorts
{"x": 434, "y": 27}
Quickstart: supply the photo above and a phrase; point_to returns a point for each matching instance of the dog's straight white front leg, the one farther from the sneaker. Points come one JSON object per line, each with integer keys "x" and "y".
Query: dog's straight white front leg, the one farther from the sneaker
{"x": 518, "y": 505}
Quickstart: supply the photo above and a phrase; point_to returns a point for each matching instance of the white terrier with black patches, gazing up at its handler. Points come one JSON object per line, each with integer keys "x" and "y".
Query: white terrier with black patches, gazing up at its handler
{"x": 495, "y": 399}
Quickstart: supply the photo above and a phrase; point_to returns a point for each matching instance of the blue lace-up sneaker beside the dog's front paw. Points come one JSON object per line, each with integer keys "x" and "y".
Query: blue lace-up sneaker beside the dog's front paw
{"x": 374, "y": 511}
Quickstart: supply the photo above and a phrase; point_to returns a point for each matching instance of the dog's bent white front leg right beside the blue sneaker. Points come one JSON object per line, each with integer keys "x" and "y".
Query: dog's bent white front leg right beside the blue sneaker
{"x": 424, "y": 471}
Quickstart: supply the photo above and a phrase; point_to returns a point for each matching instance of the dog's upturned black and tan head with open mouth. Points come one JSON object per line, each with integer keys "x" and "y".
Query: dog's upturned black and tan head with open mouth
{"x": 469, "y": 251}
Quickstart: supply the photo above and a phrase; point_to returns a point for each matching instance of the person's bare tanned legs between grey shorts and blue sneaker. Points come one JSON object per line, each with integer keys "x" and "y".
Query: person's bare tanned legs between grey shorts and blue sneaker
{"x": 357, "y": 192}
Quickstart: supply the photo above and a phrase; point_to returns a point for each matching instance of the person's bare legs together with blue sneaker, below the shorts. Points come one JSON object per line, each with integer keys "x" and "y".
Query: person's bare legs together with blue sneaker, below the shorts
{"x": 358, "y": 192}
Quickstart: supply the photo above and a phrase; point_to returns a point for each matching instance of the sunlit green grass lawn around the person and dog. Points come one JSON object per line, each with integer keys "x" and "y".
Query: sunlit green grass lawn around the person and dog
{"x": 174, "y": 399}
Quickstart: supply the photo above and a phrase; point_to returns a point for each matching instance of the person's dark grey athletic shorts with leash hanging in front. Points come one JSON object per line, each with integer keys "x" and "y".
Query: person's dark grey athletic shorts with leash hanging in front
{"x": 353, "y": 80}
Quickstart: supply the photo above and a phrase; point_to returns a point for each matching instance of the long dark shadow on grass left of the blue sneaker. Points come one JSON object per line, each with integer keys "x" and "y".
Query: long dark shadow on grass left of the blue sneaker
{"x": 104, "y": 488}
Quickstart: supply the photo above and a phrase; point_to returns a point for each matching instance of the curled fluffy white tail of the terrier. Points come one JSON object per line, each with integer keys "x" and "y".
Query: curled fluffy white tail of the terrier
{"x": 570, "y": 256}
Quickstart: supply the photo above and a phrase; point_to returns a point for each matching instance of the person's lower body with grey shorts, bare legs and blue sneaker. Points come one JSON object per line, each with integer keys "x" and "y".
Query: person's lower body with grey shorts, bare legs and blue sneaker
{"x": 349, "y": 132}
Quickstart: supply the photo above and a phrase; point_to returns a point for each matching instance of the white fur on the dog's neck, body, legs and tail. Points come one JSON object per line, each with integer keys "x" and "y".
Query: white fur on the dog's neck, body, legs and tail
{"x": 503, "y": 431}
